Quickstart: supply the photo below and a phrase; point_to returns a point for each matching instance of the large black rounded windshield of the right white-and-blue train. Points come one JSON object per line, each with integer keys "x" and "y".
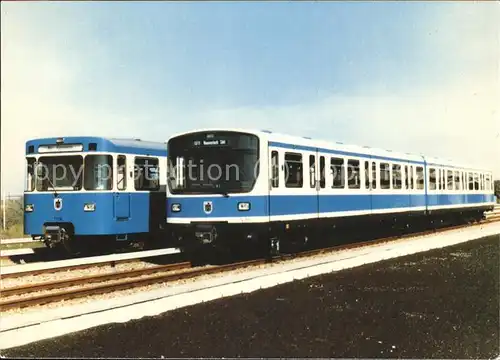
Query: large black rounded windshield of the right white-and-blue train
{"x": 213, "y": 162}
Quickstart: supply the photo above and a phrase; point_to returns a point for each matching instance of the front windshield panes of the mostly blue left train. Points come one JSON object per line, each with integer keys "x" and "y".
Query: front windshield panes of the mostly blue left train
{"x": 69, "y": 173}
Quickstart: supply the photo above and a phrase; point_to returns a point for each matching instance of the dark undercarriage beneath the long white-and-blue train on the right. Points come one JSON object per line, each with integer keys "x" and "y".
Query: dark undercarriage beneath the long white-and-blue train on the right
{"x": 237, "y": 240}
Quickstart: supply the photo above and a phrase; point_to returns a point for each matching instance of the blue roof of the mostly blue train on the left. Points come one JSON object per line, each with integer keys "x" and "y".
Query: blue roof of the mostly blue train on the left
{"x": 130, "y": 146}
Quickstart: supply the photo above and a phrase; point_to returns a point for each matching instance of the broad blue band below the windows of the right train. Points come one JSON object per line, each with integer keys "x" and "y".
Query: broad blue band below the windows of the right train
{"x": 192, "y": 207}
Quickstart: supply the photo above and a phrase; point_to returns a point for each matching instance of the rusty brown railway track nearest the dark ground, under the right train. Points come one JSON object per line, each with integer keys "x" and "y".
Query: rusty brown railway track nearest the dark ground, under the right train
{"x": 165, "y": 273}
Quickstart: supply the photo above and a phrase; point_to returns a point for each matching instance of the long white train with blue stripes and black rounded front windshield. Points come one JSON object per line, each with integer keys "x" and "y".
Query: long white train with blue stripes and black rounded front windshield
{"x": 229, "y": 187}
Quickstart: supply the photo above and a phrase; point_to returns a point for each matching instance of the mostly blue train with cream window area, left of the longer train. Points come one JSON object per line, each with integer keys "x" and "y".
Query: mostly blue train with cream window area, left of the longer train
{"x": 80, "y": 190}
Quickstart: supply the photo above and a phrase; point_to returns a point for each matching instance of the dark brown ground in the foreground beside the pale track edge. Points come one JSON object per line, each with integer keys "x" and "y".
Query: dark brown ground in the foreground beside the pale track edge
{"x": 440, "y": 304}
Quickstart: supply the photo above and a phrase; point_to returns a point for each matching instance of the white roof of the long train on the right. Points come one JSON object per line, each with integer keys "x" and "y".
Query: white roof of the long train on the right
{"x": 339, "y": 146}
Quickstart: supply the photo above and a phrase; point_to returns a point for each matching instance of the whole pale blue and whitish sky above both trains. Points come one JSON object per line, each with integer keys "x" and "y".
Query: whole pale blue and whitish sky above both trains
{"x": 367, "y": 73}
